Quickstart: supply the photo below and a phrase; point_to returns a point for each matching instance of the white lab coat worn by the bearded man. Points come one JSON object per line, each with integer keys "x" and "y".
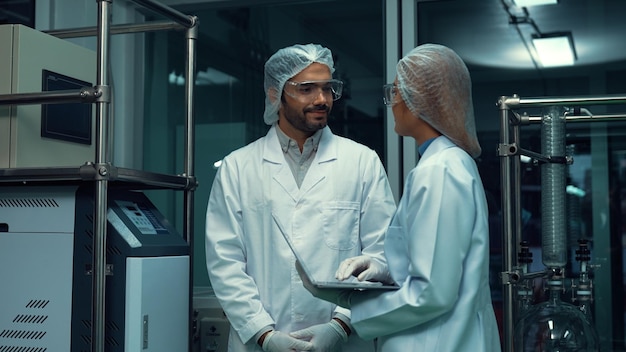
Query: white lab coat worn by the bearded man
{"x": 343, "y": 207}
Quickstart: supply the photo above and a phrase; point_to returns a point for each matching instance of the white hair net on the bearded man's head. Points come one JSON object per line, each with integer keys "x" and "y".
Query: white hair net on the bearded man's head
{"x": 285, "y": 64}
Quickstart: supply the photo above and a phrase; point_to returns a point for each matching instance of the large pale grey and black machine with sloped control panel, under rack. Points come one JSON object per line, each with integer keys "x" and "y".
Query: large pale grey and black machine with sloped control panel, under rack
{"x": 46, "y": 259}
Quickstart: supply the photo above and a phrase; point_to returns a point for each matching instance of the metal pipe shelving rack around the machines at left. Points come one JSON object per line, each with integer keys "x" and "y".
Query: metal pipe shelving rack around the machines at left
{"x": 101, "y": 172}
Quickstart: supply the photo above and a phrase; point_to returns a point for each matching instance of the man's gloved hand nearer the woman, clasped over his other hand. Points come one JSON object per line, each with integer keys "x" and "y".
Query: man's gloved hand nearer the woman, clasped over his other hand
{"x": 326, "y": 337}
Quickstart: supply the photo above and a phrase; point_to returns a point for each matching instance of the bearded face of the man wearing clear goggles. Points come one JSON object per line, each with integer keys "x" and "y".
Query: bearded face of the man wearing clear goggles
{"x": 305, "y": 107}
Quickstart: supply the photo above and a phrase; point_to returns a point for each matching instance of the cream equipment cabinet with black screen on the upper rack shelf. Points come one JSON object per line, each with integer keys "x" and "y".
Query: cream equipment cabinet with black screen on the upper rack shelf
{"x": 29, "y": 137}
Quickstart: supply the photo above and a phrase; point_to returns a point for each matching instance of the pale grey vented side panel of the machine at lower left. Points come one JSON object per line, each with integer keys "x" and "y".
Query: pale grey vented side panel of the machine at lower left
{"x": 36, "y": 251}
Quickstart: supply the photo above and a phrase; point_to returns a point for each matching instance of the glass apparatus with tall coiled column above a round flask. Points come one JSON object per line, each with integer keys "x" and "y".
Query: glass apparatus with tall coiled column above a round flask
{"x": 556, "y": 325}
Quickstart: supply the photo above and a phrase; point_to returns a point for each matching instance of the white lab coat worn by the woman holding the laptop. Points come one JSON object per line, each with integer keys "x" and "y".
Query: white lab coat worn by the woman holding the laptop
{"x": 437, "y": 248}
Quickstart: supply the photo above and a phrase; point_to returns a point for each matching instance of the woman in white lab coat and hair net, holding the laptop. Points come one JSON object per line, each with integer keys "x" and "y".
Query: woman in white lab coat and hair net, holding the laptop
{"x": 437, "y": 245}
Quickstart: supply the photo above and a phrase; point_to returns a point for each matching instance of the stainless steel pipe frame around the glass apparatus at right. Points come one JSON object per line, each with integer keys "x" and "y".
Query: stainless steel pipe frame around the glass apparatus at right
{"x": 510, "y": 151}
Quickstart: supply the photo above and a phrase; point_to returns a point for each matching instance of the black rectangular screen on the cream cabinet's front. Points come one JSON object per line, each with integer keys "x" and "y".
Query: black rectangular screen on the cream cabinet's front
{"x": 67, "y": 121}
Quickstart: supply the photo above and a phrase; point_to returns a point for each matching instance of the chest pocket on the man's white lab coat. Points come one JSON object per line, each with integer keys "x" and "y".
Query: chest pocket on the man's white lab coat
{"x": 341, "y": 224}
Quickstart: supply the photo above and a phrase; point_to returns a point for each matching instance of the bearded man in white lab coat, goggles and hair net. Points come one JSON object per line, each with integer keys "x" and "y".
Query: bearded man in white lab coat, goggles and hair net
{"x": 331, "y": 195}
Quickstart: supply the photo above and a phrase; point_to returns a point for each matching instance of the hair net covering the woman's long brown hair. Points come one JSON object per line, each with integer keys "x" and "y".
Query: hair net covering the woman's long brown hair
{"x": 436, "y": 86}
